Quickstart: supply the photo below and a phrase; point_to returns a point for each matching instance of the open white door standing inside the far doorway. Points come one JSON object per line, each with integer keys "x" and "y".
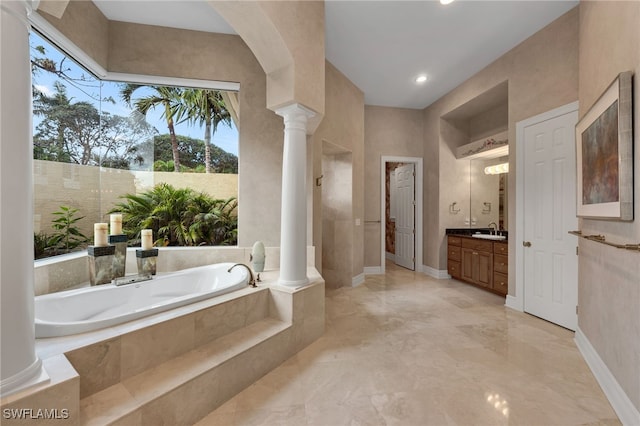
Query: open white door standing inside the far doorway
{"x": 405, "y": 216}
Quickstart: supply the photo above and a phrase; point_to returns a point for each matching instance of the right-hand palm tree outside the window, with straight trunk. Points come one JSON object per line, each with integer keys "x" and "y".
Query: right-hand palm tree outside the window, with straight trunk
{"x": 203, "y": 106}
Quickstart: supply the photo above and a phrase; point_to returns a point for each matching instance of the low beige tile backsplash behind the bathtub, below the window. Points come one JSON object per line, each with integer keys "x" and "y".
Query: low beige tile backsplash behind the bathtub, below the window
{"x": 72, "y": 271}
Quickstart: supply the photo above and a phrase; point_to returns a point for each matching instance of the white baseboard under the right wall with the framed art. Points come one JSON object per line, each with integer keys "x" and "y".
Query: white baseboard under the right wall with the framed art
{"x": 624, "y": 408}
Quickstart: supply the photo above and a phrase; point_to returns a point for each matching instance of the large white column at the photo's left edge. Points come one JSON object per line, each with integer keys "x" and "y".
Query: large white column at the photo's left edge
{"x": 19, "y": 366}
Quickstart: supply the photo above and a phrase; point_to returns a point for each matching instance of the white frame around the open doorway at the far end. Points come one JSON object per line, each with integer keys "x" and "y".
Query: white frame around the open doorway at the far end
{"x": 417, "y": 161}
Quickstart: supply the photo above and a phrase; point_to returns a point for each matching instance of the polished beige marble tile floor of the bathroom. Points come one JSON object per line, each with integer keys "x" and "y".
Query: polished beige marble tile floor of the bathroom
{"x": 405, "y": 349}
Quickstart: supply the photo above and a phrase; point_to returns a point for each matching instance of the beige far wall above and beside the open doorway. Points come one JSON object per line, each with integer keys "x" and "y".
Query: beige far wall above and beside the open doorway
{"x": 388, "y": 132}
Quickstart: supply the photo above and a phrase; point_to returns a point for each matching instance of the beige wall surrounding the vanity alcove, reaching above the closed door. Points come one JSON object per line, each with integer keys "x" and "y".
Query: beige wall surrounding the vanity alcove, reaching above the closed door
{"x": 542, "y": 74}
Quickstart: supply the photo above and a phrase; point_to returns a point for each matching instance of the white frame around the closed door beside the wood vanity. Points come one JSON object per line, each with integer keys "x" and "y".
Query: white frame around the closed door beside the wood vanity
{"x": 516, "y": 301}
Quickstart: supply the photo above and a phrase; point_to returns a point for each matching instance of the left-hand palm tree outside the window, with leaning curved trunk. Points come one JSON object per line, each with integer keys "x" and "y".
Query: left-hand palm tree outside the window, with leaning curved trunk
{"x": 168, "y": 98}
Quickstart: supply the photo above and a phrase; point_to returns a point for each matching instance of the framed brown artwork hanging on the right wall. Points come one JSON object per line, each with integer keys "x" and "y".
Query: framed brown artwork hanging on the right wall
{"x": 604, "y": 147}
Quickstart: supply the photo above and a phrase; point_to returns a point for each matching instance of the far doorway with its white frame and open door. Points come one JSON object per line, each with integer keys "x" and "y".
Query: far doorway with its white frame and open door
{"x": 410, "y": 207}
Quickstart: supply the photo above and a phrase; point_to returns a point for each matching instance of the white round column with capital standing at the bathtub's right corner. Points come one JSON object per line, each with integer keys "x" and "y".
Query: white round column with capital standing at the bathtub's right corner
{"x": 293, "y": 227}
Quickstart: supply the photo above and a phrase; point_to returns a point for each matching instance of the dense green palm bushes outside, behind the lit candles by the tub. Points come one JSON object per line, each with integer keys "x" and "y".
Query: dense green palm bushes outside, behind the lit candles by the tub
{"x": 179, "y": 216}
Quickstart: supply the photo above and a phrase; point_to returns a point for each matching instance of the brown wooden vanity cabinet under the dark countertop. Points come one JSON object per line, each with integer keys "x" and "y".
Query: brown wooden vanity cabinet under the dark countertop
{"x": 480, "y": 262}
